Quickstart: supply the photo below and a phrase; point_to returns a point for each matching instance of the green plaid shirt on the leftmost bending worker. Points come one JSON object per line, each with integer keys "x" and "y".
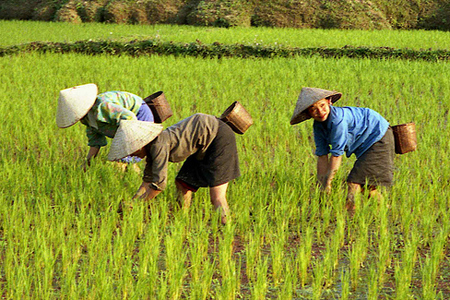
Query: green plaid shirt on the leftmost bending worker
{"x": 103, "y": 118}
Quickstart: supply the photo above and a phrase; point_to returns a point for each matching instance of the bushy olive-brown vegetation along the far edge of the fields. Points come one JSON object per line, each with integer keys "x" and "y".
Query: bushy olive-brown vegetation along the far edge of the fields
{"x": 342, "y": 14}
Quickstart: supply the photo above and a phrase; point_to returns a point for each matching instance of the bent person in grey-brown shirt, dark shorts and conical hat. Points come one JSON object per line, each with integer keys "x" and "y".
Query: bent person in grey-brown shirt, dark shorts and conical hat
{"x": 205, "y": 143}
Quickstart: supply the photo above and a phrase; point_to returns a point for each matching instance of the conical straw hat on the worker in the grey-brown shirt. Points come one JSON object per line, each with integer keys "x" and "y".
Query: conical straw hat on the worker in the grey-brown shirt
{"x": 131, "y": 136}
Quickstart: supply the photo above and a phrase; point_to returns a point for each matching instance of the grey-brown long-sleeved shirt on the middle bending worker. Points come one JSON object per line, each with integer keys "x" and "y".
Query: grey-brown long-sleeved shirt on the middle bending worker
{"x": 176, "y": 143}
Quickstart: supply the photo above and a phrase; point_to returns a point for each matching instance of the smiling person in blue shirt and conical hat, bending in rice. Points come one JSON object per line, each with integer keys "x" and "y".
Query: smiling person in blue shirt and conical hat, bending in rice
{"x": 353, "y": 130}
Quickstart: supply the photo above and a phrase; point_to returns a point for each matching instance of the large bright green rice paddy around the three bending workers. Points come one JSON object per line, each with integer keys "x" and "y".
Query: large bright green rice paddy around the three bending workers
{"x": 61, "y": 235}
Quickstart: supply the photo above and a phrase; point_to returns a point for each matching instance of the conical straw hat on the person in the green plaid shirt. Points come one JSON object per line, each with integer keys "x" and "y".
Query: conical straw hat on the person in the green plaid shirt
{"x": 74, "y": 103}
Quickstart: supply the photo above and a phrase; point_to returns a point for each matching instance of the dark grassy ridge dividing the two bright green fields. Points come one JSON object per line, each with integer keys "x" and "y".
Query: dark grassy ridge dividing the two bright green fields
{"x": 198, "y": 49}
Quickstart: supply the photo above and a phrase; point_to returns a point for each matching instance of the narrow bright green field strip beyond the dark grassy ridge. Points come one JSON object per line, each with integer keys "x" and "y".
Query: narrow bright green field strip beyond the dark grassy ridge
{"x": 17, "y": 32}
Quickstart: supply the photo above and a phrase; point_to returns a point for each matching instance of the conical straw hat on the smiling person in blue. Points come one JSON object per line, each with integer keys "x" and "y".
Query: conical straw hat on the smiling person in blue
{"x": 307, "y": 97}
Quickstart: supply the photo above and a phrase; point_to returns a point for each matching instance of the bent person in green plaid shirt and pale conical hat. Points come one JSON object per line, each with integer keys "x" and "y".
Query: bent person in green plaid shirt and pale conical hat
{"x": 100, "y": 114}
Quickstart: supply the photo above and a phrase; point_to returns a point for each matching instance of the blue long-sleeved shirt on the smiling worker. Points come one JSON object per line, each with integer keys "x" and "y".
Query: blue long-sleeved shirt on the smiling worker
{"x": 350, "y": 130}
